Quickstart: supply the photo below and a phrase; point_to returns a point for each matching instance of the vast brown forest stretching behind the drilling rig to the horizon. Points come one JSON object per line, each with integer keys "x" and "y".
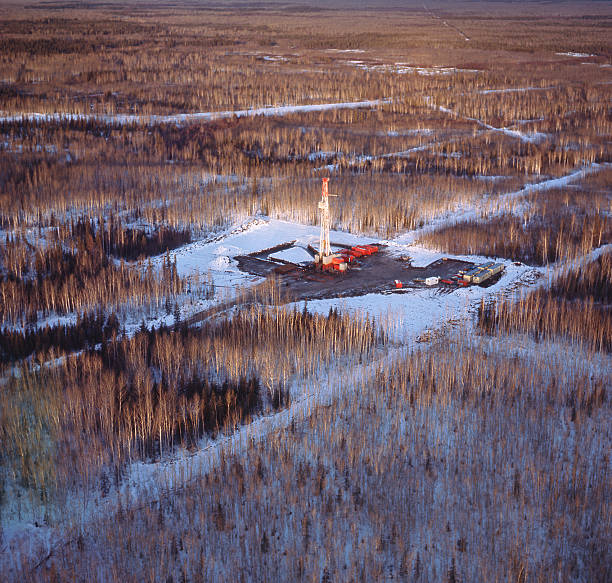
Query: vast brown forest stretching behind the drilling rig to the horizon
{"x": 204, "y": 61}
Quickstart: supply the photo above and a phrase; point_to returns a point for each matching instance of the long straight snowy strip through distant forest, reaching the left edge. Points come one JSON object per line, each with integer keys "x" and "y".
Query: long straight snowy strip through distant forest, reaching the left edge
{"x": 125, "y": 119}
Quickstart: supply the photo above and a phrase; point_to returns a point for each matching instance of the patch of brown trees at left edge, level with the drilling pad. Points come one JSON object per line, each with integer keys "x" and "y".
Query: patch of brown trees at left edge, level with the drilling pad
{"x": 77, "y": 274}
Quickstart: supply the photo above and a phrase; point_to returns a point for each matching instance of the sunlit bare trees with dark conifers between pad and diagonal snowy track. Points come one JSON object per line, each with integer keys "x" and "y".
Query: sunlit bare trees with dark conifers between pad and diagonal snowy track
{"x": 135, "y": 398}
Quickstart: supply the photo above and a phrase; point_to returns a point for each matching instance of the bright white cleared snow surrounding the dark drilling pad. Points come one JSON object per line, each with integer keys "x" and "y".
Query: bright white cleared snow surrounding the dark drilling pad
{"x": 408, "y": 314}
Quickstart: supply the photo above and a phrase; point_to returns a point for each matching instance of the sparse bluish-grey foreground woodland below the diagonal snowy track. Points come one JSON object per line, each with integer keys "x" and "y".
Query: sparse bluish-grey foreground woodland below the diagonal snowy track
{"x": 447, "y": 467}
